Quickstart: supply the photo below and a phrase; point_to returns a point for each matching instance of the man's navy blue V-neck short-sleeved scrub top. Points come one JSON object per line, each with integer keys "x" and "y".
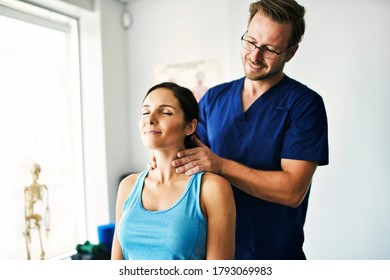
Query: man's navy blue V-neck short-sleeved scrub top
{"x": 288, "y": 121}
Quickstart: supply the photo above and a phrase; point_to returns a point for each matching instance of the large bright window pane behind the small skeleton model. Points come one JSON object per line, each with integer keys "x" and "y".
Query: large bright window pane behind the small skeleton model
{"x": 40, "y": 122}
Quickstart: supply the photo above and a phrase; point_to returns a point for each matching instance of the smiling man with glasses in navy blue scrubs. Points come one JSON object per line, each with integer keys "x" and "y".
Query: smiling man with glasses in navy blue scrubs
{"x": 266, "y": 133}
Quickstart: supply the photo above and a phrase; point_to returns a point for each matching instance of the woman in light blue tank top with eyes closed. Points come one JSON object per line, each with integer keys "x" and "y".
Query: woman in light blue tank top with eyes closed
{"x": 165, "y": 215}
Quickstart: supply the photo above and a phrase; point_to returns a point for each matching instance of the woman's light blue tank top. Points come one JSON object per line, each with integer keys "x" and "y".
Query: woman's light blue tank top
{"x": 176, "y": 233}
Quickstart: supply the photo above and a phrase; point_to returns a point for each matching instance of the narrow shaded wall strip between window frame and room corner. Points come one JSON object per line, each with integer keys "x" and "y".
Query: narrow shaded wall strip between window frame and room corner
{"x": 116, "y": 107}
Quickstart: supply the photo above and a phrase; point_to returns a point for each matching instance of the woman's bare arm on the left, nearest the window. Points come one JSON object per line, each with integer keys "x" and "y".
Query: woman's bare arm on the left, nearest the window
{"x": 124, "y": 190}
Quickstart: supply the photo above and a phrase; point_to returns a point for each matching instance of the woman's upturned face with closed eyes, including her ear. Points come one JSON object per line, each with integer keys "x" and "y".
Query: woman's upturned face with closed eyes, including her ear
{"x": 162, "y": 124}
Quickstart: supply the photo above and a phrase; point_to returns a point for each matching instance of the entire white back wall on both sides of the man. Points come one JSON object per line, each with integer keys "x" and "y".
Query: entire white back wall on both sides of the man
{"x": 344, "y": 56}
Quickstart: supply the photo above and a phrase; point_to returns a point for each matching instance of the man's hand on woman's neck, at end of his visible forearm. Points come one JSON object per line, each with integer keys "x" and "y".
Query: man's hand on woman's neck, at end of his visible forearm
{"x": 201, "y": 158}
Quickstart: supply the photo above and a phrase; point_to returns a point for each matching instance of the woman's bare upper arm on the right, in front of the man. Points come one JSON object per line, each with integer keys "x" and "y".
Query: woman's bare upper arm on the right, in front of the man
{"x": 219, "y": 208}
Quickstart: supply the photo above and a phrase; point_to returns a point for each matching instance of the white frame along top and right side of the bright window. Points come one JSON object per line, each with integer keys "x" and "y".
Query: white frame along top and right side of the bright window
{"x": 96, "y": 206}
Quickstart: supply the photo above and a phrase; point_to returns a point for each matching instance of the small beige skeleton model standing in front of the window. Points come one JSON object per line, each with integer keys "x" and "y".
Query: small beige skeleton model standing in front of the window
{"x": 35, "y": 201}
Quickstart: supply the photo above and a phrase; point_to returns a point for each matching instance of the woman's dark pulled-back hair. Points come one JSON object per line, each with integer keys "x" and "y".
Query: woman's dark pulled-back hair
{"x": 187, "y": 102}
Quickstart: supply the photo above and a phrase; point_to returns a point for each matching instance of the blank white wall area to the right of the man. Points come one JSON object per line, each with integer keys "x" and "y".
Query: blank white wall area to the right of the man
{"x": 345, "y": 57}
